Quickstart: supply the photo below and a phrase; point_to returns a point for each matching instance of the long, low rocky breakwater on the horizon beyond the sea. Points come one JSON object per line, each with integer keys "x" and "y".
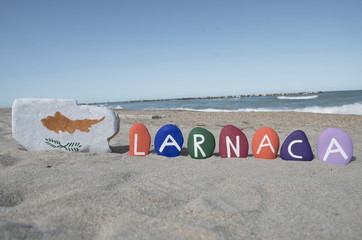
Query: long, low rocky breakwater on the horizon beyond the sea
{"x": 228, "y": 96}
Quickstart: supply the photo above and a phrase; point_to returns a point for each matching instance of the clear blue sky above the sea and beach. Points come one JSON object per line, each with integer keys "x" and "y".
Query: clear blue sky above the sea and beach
{"x": 97, "y": 51}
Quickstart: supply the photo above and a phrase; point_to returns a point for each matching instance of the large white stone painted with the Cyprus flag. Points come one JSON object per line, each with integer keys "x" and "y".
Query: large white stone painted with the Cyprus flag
{"x": 62, "y": 124}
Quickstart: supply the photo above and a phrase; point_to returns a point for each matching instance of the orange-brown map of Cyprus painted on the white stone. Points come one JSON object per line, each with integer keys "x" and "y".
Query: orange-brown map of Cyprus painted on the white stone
{"x": 59, "y": 122}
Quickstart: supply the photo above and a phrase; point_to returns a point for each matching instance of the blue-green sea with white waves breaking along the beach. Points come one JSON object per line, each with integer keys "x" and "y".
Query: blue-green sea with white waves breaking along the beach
{"x": 334, "y": 102}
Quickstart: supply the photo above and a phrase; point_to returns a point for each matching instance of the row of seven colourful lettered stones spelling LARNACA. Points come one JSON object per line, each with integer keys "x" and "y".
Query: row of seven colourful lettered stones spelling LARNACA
{"x": 334, "y": 145}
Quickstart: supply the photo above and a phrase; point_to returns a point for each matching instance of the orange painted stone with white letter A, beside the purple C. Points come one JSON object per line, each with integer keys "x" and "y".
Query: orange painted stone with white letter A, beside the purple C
{"x": 265, "y": 143}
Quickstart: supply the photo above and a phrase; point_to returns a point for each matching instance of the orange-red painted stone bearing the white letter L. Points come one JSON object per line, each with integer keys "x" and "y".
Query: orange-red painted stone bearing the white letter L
{"x": 139, "y": 140}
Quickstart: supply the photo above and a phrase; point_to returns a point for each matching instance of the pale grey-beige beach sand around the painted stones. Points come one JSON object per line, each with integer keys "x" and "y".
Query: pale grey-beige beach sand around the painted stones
{"x": 59, "y": 195}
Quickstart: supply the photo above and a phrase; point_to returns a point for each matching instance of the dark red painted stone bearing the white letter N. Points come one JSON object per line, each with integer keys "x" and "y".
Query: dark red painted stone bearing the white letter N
{"x": 233, "y": 143}
